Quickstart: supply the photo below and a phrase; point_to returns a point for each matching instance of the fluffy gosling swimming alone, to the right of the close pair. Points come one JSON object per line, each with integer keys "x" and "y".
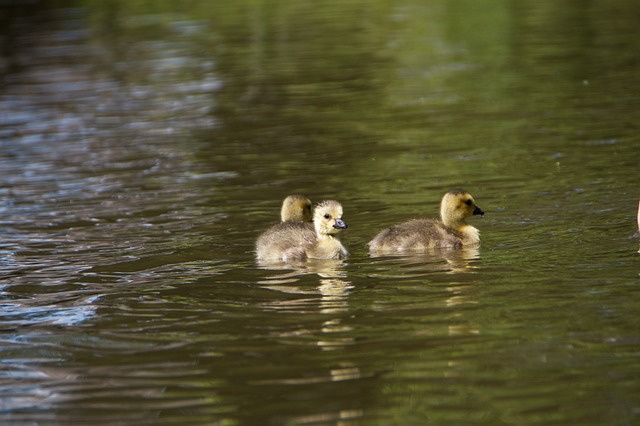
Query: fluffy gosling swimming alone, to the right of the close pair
{"x": 450, "y": 231}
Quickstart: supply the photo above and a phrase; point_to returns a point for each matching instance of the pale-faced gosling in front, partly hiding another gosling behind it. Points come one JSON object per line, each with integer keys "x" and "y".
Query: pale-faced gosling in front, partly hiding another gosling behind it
{"x": 292, "y": 241}
